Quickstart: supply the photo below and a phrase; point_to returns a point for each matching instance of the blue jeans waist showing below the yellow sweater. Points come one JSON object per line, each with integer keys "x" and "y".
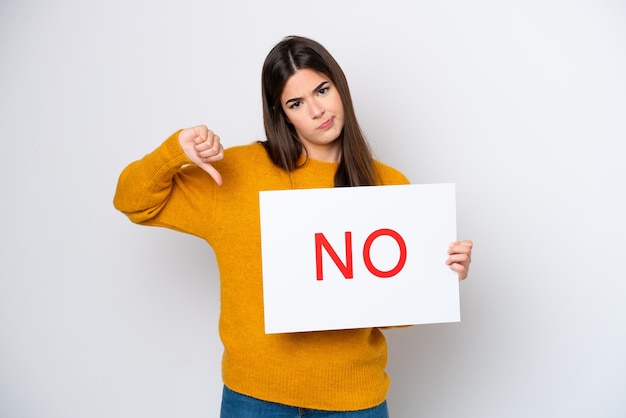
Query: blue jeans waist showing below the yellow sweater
{"x": 236, "y": 405}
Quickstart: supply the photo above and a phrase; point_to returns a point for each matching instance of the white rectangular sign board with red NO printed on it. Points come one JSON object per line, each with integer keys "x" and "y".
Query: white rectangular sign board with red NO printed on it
{"x": 356, "y": 257}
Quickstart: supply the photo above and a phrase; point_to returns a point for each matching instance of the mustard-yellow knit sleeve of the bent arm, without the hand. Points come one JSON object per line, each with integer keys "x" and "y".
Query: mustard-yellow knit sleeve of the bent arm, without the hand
{"x": 164, "y": 188}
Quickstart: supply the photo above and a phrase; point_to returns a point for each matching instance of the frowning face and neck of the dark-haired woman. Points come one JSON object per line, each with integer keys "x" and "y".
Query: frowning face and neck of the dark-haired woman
{"x": 313, "y": 106}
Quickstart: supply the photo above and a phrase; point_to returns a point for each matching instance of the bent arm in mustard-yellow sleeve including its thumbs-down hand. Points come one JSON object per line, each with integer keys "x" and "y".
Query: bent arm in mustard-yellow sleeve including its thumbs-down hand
{"x": 164, "y": 188}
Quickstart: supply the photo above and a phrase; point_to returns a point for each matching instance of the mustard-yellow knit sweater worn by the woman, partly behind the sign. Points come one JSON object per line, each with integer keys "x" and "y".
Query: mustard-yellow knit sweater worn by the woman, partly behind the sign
{"x": 331, "y": 370}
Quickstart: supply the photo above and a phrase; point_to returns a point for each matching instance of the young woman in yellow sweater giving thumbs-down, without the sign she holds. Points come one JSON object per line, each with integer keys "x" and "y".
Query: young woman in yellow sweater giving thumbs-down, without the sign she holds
{"x": 191, "y": 184}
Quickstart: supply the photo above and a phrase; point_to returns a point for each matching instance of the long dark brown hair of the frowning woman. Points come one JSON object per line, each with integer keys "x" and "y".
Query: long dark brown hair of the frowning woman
{"x": 293, "y": 53}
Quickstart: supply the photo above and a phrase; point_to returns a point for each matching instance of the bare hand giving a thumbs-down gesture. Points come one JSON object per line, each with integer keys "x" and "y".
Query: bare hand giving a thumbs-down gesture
{"x": 203, "y": 147}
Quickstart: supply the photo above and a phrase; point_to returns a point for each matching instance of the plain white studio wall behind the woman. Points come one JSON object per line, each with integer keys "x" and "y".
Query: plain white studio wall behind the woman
{"x": 521, "y": 104}
